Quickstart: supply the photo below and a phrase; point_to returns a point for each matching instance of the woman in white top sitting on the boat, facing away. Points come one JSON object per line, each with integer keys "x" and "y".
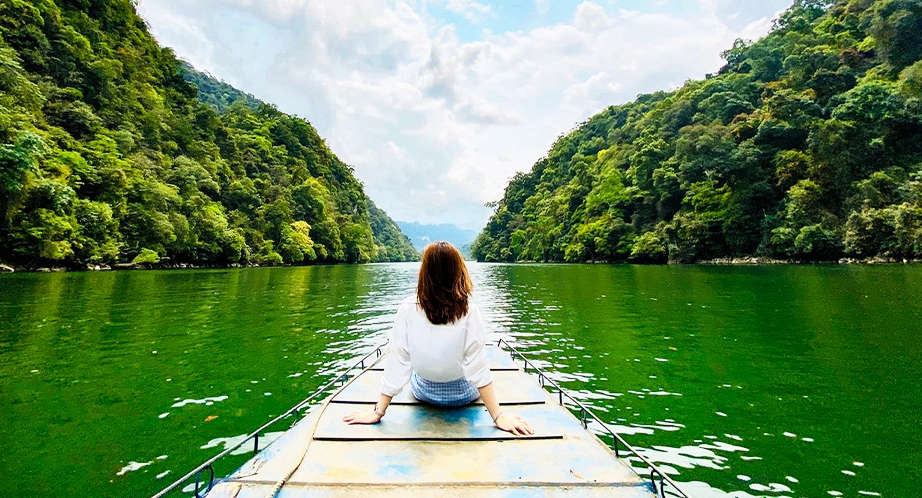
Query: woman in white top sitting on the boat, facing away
{"x": 437, "y": 345}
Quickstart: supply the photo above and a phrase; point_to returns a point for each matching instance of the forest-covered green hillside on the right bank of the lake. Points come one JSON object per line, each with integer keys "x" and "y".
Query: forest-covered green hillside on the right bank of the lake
{"x": 806, "y": 146}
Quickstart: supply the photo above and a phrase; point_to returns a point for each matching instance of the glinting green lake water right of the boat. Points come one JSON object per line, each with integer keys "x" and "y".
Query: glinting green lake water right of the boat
{"x": 737, "y": 370}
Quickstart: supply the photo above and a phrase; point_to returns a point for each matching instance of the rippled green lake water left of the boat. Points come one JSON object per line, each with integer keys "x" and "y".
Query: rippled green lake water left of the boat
{"x": 101, "y": 374}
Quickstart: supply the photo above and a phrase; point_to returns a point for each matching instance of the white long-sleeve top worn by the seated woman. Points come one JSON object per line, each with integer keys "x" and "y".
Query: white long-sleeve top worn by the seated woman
{"x": 439, "y": 353}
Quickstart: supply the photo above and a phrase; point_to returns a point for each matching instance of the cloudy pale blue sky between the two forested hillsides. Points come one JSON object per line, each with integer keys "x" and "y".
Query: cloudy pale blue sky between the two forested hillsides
{"x": 438, "y": 103}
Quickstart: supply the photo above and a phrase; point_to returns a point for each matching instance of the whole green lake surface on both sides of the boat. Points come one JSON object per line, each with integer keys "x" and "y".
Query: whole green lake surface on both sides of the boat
{"x": 738, "y": 381}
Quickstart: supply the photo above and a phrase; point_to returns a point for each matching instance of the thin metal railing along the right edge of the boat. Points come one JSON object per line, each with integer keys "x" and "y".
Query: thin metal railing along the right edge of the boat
{"x": 543, "y": 379}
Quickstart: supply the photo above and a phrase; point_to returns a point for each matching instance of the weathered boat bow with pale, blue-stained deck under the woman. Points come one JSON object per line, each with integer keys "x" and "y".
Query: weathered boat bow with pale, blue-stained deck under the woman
{"x": 421, "y": 450}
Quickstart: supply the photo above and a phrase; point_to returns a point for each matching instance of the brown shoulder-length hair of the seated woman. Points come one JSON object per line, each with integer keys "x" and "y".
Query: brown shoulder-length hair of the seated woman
{"x": 444, "y": 284}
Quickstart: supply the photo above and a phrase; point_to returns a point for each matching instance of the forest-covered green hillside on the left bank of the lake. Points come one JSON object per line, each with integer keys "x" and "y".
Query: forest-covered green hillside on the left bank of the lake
{"x": 107, "y": 155}
